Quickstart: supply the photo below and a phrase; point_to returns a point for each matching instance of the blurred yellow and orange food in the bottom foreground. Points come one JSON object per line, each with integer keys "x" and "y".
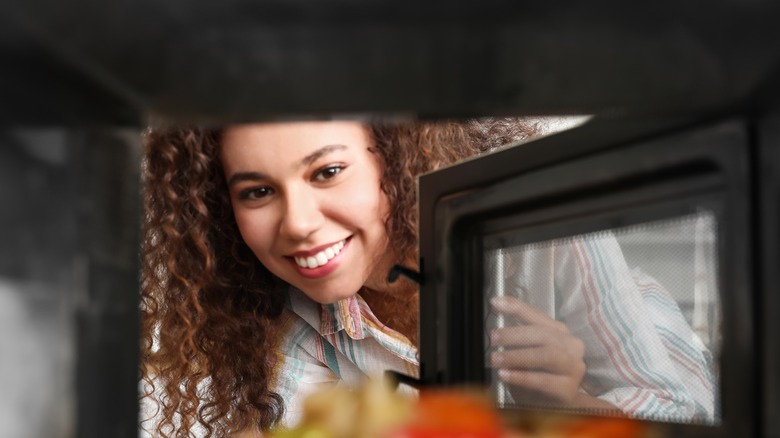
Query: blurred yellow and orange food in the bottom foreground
{"x": 374, "y": 410}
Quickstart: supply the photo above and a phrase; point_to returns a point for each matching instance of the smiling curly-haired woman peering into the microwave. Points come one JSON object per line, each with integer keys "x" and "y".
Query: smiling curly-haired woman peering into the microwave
{"x": 266, "y": 253}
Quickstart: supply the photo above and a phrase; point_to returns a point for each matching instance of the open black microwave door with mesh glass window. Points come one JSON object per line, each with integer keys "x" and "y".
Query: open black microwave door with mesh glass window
{"x": 636, "y": 244}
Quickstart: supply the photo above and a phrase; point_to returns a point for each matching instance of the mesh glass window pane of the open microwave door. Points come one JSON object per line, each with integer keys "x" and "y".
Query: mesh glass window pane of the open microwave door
{"x": 625, "y": 320}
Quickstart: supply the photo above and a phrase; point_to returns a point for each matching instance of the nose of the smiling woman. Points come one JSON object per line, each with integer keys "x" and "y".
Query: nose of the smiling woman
{"x": 302, "y": 215}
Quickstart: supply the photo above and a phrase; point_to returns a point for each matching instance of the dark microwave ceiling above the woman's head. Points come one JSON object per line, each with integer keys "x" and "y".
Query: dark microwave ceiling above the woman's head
{"x": 119, "y": 62}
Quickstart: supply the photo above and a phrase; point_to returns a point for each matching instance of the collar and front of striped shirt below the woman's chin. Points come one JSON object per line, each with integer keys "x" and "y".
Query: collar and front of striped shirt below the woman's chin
{"x": 339, "y": 343}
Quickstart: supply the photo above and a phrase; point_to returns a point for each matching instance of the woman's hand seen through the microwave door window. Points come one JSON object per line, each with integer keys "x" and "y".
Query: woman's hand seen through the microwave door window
{"x": 540, "y": 359}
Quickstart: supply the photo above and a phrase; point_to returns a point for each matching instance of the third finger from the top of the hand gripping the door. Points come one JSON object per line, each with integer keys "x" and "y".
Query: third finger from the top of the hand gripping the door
{"x": 545, "y": 358}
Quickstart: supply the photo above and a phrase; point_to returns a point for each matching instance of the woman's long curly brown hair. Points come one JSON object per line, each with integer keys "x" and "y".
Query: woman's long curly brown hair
{"x": 208, "y": 306}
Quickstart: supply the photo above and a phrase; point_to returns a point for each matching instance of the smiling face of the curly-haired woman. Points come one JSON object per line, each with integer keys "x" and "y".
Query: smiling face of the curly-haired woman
{"x": 307, "y": 201}
